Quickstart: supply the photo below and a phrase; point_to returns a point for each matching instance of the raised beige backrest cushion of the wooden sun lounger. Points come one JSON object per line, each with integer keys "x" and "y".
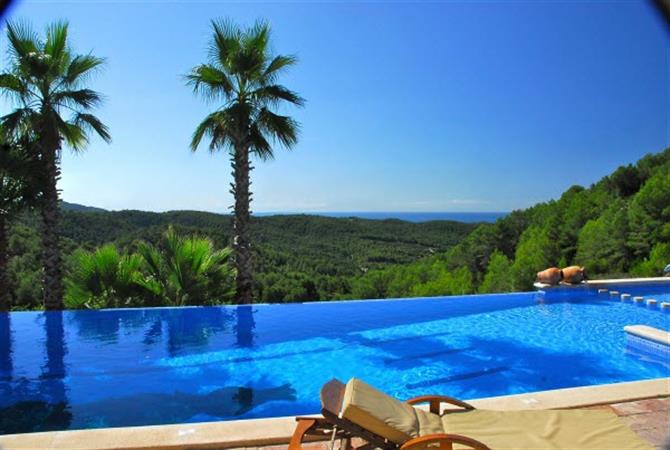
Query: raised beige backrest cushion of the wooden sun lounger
{"x": 379, "y": 413}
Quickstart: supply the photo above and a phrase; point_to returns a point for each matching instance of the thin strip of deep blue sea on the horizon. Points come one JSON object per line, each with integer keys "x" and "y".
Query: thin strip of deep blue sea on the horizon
{"x": 470, "y": 217}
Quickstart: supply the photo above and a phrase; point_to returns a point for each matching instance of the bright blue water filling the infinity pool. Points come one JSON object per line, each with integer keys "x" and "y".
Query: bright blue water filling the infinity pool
{"x": 87, "y": 369}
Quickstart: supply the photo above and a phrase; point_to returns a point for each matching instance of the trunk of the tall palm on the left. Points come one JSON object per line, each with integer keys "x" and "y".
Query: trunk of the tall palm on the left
{"x": 52, "y": 260}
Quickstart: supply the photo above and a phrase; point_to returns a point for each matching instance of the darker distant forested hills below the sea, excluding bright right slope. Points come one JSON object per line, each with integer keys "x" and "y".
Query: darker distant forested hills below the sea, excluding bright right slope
{"x": 298, "y": 258}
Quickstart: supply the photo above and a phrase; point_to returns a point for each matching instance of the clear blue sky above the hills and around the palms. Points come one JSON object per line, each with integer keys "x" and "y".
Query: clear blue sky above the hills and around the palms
{"x": 441, "y": 106}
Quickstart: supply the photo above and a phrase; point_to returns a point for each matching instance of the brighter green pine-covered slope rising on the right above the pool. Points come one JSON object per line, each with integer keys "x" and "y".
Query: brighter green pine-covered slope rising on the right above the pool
{"x": 620, "y": 226}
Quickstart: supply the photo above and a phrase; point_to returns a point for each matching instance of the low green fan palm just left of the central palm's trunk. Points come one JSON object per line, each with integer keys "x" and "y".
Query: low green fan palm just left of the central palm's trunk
{"x": 186, "y": 271}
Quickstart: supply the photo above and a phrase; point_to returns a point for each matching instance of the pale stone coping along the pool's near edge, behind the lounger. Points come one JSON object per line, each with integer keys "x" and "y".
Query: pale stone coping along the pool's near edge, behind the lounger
{"x": 278, "y": 430}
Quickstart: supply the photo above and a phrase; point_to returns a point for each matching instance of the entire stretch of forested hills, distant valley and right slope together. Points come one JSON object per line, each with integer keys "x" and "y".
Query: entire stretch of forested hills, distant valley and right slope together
{"x": 620, "y": 226}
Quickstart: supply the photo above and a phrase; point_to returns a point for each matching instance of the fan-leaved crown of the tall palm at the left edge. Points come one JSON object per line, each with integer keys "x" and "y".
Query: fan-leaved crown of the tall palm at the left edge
{"x": 47, "y": 80}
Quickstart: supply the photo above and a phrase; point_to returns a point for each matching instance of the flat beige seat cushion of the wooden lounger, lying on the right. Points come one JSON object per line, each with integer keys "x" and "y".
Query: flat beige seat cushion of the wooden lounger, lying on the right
{"x": 546, "y": 429}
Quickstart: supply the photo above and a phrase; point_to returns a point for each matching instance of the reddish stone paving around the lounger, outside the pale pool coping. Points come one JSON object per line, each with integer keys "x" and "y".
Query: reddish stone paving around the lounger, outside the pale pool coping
{"x": 650, "y": 419}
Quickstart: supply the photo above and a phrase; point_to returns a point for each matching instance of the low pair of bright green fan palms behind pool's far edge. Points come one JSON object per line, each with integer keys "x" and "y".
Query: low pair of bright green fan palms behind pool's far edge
{"x": 178, "y": 271}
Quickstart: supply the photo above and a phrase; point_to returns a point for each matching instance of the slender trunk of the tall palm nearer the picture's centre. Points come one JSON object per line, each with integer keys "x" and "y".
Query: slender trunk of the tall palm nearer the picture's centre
{"x": 241, "y": 232}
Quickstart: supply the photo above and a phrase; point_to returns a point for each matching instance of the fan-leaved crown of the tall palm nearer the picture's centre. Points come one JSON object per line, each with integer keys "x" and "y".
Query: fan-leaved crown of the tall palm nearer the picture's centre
{"x": 241, "y": 75}
